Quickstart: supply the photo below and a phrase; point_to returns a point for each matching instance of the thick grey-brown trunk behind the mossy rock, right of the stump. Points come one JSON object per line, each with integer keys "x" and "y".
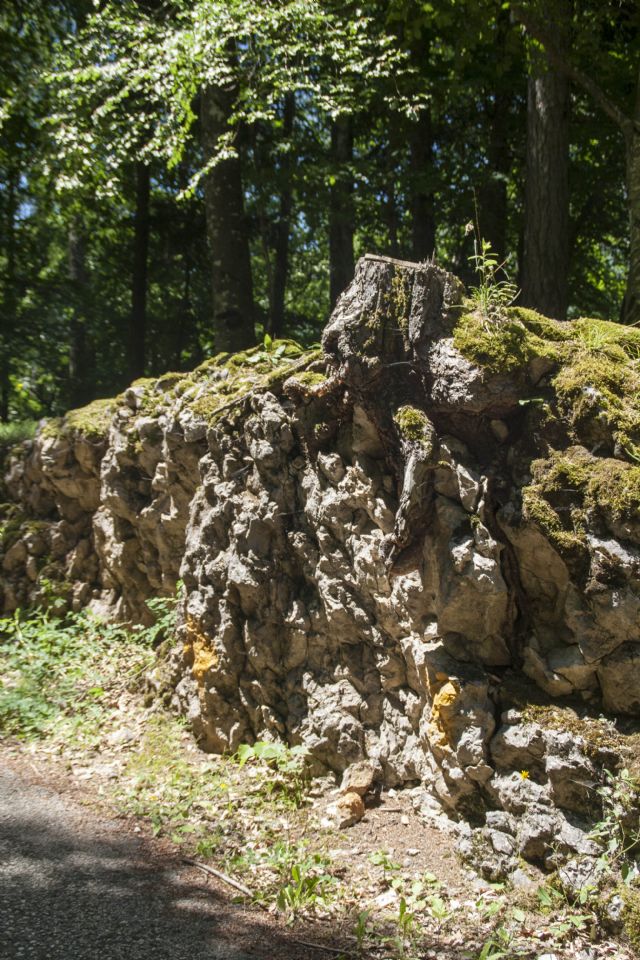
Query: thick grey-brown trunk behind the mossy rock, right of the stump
{"x": 546, "y": 234}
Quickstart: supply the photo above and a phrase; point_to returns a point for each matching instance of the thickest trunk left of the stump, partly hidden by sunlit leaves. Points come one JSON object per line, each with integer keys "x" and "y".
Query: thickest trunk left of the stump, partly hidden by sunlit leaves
{"x": 233, "y": 311}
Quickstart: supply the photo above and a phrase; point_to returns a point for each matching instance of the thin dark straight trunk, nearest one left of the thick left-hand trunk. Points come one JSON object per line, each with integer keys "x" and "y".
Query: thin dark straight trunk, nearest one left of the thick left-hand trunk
{"x": 138, "y": 322}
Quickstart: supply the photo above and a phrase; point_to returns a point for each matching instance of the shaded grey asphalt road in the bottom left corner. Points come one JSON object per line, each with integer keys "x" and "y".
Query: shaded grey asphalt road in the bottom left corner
{"x": 74, "y": 886}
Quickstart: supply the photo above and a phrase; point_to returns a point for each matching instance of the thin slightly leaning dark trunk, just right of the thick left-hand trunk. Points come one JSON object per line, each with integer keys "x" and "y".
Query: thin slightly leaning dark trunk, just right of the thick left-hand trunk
{"x": 283, "y": 225}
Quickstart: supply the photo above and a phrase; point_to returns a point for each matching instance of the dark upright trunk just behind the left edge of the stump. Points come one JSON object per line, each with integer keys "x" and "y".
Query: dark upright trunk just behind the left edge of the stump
{"x": 341, "y": 217}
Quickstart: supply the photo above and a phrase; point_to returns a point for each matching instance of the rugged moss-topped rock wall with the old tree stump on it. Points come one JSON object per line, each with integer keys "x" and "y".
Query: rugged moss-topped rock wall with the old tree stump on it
{"x": 419, "y": 546}
